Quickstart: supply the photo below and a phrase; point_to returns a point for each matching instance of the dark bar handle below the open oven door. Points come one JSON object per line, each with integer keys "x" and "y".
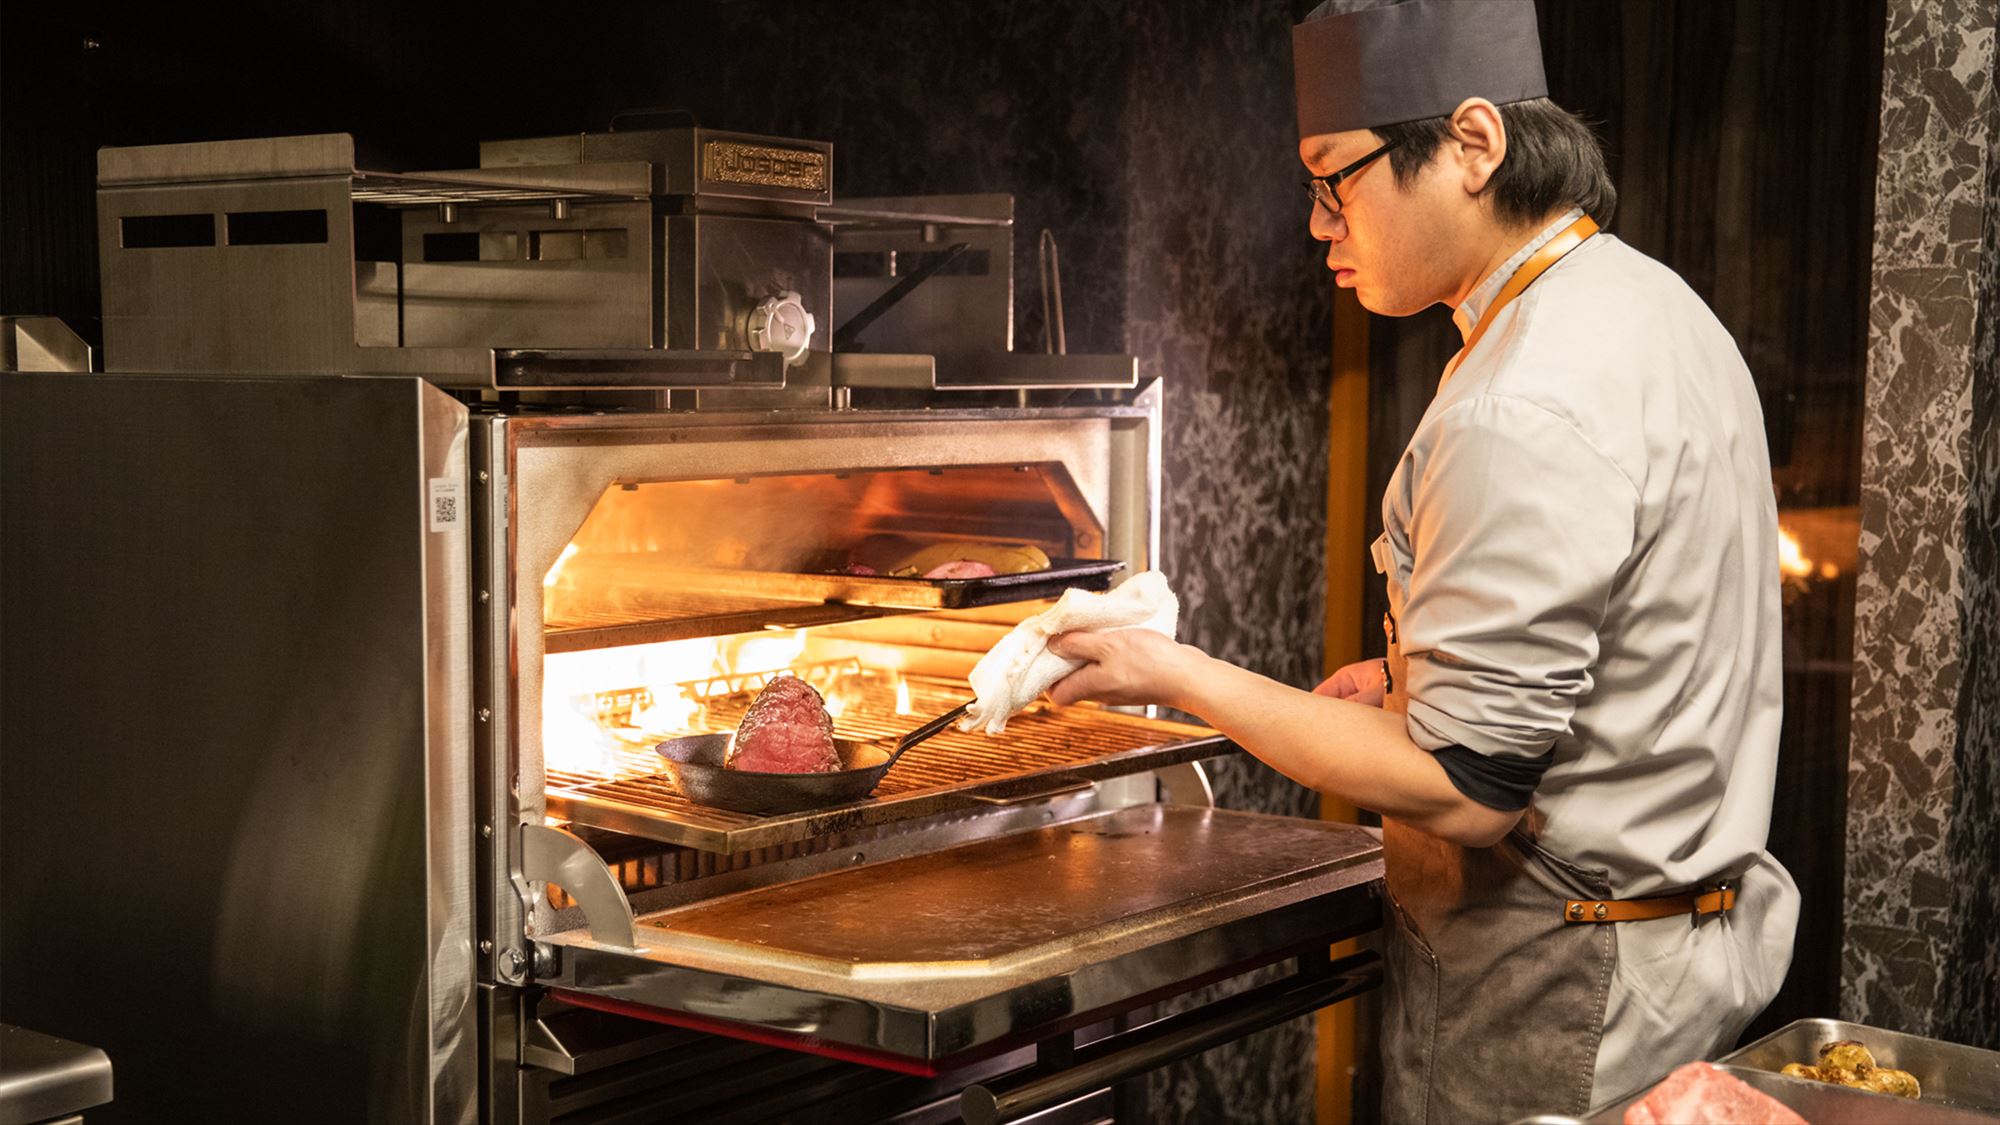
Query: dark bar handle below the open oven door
{"x": 1119, "y": 1058}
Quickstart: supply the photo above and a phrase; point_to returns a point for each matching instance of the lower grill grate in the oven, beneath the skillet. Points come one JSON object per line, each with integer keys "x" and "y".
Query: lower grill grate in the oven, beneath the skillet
{"x": 1043, "y": 748}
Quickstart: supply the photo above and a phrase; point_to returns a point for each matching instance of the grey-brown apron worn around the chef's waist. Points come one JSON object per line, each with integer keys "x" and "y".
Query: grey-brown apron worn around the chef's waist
{"x": 1493, "y": 1004}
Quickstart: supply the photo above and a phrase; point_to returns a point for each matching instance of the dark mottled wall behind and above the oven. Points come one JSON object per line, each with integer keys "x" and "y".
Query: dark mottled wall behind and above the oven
{"x": 1153, "y": 137}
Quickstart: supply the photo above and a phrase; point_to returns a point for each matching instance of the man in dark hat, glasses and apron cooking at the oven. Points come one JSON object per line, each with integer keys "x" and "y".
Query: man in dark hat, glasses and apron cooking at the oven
{"x": 1575, "y": 732}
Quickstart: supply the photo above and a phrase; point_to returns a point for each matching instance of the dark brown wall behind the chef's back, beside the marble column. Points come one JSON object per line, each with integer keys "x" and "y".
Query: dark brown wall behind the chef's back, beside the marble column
{"x": 1743, "y": 139}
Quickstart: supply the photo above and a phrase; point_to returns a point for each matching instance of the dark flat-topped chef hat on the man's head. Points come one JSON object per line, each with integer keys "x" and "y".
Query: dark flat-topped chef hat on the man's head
{"x": 1411, "y": 61}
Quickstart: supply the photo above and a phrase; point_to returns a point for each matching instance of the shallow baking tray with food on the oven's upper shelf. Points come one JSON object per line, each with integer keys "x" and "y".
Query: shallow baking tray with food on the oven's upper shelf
{"x": 909, "y": 594}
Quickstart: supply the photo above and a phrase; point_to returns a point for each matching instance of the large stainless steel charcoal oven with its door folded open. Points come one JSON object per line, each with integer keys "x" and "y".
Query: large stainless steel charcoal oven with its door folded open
{"x": 423, "y": 828}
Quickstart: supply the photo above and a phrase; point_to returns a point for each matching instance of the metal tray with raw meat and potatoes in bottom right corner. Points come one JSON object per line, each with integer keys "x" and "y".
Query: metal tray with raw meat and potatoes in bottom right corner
{"x": 1961, "y": 1084}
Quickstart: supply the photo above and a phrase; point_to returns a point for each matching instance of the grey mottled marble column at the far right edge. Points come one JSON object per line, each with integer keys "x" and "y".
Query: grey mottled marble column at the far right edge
{"x": 1919, "y": 596}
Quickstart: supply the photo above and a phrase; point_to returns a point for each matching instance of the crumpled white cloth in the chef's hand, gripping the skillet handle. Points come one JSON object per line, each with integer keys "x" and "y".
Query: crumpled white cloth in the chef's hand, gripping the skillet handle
{"x": 1021, "y": 668}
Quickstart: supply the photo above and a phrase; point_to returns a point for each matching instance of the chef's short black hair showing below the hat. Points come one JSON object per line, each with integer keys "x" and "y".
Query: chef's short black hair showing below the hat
{"x": 1553, "y": 161}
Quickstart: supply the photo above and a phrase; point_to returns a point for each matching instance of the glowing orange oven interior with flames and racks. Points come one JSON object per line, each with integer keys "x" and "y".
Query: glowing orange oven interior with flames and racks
{"x": 679, "y": 602}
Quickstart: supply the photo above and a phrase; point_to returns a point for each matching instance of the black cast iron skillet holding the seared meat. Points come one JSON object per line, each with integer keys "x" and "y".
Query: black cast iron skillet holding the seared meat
{"x": 697, "y": 766}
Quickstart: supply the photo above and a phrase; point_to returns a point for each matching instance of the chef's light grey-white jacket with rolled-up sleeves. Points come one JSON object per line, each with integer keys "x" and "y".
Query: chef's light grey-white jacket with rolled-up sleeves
{"x": 1583, "y": 555}
